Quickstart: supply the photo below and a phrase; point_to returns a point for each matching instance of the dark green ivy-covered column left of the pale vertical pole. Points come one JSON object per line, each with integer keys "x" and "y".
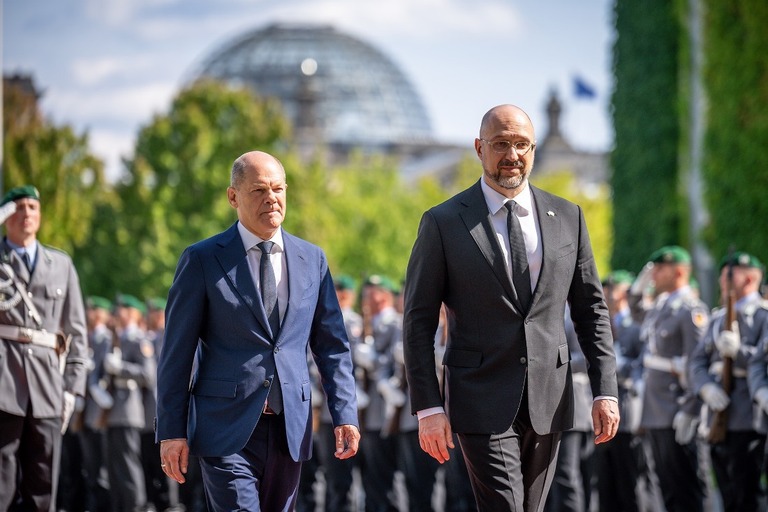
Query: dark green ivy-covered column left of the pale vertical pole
{"x": 649, "y": 210}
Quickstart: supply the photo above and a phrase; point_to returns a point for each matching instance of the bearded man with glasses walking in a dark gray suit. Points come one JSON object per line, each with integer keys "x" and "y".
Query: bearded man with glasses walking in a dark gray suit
{"x": 505, "y": 273}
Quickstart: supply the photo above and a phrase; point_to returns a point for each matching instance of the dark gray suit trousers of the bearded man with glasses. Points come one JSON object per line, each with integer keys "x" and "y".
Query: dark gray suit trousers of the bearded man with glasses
{"x": 511, "y": 471}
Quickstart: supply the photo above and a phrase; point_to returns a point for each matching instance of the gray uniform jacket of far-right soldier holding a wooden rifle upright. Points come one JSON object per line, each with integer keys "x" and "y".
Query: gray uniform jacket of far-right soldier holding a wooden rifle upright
{"x": 705, "y": 365}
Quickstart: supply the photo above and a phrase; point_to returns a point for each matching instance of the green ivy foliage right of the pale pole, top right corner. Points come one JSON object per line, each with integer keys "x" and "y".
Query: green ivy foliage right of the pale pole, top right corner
{"x": 736, "y": 140}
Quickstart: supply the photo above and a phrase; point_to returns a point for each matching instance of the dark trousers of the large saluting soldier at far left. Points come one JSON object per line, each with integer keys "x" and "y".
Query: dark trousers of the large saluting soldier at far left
{"x": 30, "y": 450}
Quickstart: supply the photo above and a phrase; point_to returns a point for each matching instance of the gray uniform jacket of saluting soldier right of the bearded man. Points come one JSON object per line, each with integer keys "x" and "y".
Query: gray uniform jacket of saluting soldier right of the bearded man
{"x": 670, "y": 330}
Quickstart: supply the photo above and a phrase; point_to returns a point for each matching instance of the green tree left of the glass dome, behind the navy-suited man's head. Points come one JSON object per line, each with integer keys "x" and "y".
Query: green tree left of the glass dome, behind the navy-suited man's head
{"x": 173, "y": 192}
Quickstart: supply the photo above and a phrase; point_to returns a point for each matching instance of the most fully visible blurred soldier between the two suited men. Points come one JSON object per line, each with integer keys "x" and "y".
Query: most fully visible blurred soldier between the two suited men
{"x": 383, "y": 329}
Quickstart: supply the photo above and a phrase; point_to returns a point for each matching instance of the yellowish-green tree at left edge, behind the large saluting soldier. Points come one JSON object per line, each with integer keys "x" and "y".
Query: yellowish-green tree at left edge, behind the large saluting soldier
{"x": 57, "y": 161}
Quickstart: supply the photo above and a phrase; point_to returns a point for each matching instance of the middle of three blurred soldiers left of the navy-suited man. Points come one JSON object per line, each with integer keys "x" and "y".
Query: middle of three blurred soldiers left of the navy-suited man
{"x": 130, "y": 366}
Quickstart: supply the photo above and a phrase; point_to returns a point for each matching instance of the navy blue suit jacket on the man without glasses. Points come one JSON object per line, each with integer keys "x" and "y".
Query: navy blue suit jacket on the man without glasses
{"x": 217, "y": 333}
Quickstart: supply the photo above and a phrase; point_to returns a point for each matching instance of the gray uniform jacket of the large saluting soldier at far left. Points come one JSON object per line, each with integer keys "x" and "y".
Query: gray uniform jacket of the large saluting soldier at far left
{"x": 29, "y": 374}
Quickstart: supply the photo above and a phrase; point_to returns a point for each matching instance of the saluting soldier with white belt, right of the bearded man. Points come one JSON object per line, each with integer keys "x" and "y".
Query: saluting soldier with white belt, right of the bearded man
{"x": 670, "y": 331}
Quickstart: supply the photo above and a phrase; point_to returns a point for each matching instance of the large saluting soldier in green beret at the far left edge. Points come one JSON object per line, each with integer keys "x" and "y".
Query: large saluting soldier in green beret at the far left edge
{"x": 43, "y": 355}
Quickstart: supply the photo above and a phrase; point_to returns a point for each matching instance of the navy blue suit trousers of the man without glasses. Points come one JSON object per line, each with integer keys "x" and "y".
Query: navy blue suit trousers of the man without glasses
{"x": 261, "y": 476}
